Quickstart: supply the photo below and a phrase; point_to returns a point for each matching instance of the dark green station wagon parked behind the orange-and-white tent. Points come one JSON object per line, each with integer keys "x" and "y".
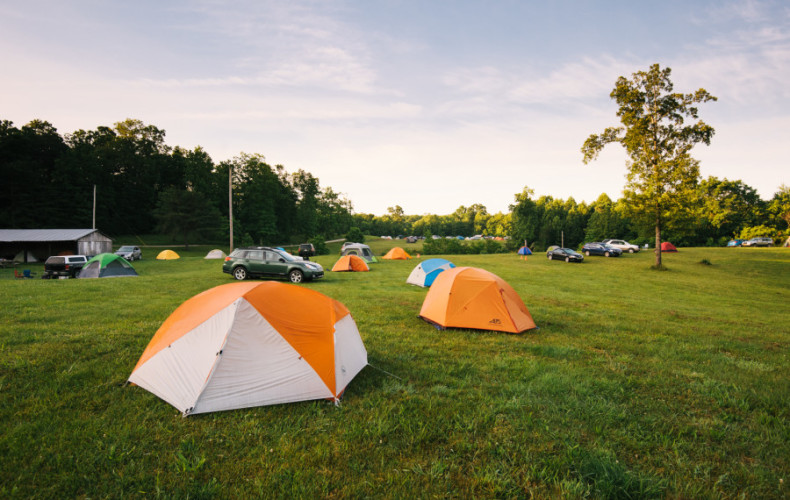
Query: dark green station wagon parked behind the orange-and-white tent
{"x": 258, "y": 262}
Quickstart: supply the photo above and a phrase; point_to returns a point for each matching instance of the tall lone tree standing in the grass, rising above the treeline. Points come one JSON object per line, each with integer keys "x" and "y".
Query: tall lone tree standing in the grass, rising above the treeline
{"x": 658, "y": 142}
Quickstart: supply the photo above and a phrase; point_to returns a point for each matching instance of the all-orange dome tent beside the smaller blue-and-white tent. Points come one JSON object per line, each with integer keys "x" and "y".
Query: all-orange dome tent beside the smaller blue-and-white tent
{"x": 469, "y": 297}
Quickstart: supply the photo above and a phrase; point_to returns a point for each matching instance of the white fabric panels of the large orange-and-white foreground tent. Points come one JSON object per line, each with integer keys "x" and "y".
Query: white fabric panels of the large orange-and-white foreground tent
{"x": 237, "y": 359}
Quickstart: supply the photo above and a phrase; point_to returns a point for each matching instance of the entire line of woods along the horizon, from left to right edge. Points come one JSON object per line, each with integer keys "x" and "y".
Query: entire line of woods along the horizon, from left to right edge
{"x": 145, "y": 186}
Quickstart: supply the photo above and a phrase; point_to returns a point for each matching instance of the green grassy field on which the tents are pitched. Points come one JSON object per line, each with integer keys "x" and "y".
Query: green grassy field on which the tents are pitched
{"x": 639, "y": 384}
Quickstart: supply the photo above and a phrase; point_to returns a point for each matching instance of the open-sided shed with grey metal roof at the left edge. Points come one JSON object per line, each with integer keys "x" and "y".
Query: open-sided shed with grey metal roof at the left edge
{"x": 31, "y": 245}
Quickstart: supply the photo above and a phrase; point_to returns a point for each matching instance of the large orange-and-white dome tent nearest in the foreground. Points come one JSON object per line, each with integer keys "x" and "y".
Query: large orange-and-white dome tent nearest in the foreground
{"x": 252, "y": 344}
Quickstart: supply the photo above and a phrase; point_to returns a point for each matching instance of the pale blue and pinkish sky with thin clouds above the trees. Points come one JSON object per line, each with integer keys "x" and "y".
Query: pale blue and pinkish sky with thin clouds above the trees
{"x": 428, "y": 105}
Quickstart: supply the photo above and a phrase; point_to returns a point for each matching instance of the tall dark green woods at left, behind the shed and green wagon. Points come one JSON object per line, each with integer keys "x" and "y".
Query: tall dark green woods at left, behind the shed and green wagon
{"x": 144, "y": 186}
